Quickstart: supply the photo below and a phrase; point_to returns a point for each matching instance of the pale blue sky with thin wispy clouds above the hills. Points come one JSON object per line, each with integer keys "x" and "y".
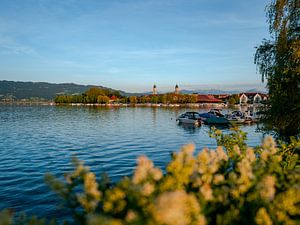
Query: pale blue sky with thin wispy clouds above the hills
{"x": 132, "y": 44}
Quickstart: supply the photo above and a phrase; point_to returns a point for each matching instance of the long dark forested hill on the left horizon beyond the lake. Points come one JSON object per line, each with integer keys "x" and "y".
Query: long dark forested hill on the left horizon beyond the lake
{"x": 26, "y": 90}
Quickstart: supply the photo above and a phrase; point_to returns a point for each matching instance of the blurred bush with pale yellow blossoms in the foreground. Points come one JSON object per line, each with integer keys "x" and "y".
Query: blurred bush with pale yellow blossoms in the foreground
{"x": 233, "y": 184}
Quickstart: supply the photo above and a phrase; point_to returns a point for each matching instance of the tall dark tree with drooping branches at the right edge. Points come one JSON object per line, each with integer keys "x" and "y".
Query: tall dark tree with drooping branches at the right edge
{"x": 278, "y": 61}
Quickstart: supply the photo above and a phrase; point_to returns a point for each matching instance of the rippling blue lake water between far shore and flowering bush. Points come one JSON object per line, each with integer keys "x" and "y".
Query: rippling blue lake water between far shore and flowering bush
{"x": 39, "y": 139}
